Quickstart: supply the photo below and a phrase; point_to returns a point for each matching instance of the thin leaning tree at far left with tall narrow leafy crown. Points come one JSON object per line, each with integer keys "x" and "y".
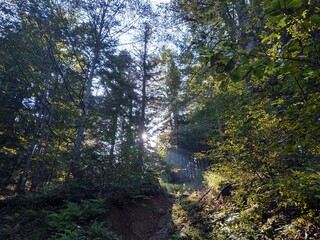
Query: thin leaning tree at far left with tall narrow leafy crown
{"x": 33, "y": 73}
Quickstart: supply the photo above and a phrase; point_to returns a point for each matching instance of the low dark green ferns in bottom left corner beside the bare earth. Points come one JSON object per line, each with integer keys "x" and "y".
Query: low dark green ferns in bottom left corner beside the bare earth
{"x": 71, "y": 220}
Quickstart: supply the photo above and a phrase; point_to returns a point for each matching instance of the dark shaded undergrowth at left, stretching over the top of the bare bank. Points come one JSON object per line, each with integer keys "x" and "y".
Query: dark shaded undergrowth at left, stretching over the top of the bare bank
{"x": 70, "y": 211}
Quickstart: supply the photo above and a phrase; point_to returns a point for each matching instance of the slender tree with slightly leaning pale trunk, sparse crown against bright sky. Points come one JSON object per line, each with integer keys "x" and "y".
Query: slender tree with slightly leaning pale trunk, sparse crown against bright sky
{"x": 96, "y": 41}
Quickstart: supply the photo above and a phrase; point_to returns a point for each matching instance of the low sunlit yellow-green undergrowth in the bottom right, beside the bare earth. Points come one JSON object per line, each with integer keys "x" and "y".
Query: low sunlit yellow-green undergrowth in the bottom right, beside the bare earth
{"x": 282, "y": 207}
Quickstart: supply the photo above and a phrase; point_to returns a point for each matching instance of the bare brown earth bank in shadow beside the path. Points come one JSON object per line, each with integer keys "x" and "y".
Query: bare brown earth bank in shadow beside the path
{"x": 141, "y": 219}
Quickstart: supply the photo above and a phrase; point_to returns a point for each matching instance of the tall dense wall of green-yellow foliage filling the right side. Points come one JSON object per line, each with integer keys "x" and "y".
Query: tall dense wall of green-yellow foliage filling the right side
{"x": 252, "y": 70}
